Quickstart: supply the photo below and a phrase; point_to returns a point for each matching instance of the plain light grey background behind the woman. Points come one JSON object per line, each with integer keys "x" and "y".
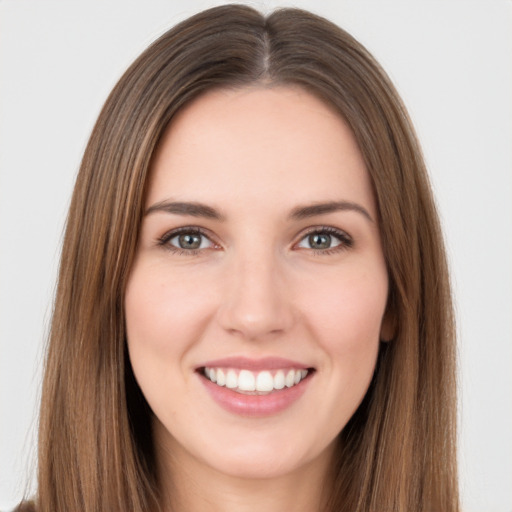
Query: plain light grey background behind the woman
{"x": 450, "y": 59}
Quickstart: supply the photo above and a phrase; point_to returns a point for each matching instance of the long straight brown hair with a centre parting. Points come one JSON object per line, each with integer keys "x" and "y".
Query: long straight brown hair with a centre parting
{"x": 95, "y": 448}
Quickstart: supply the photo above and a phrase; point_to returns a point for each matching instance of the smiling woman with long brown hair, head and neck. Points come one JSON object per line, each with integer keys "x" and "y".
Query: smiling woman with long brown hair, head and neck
{"x": 253, "y": 306}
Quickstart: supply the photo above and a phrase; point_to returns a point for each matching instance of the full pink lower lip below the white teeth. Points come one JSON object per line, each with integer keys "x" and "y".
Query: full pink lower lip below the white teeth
{"x": 255, "y": 405}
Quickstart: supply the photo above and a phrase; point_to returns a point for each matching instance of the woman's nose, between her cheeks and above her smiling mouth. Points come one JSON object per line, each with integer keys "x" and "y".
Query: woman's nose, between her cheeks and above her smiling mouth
{"x": 256, "y": 302}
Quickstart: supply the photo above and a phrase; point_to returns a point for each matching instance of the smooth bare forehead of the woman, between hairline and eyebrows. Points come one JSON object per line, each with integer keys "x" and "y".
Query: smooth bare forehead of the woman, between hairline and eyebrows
{"x": 266, "y": 144}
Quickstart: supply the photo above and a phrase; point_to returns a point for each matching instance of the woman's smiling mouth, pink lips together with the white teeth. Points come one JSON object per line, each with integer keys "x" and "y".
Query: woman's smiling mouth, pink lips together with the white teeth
{"x": 255, "y": 387}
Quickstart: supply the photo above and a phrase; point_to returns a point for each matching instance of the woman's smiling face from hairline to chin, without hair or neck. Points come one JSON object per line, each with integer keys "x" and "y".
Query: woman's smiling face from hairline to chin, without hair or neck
{"x": 255, "y": 304}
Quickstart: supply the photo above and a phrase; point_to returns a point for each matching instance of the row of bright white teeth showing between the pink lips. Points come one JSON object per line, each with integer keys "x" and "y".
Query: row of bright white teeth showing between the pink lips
{"x": 261, "y": 382}
